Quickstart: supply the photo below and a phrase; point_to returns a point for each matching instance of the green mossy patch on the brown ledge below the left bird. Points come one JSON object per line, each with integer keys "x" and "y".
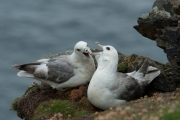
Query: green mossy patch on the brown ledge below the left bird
{"x": 64, "y": 107}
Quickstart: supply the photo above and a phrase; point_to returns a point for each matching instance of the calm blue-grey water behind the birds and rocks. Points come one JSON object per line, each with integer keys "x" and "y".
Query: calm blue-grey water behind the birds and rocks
{"x": 29, "y": 29}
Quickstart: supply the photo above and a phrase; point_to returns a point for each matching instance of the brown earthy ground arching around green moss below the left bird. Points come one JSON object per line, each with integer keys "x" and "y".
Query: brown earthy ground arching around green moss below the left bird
{"x": 27, "y": 104}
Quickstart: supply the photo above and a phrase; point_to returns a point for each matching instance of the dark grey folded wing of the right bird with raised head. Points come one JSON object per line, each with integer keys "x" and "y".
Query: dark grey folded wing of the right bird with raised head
{"x": 129, "y": 88}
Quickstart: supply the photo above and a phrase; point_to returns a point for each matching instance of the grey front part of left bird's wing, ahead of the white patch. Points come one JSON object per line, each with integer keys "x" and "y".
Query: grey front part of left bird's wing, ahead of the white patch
{"x": 59, "y": 70}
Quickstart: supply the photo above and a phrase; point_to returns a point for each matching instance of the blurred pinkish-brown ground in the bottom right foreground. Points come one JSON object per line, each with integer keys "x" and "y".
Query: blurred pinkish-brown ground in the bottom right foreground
{"x": 160, "y": 106}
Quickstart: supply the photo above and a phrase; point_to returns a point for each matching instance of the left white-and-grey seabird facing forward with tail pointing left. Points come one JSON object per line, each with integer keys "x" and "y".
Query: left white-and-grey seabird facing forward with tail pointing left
{"x": 64, "y": 71}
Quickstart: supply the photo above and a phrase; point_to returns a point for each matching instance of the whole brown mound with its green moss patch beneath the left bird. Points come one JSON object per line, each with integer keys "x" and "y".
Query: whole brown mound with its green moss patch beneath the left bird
{"x": 43, "y": 102}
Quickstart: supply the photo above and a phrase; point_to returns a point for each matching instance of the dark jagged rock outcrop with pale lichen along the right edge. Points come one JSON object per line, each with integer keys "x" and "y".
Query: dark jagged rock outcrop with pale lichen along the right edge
{"x": 162, "y": 26}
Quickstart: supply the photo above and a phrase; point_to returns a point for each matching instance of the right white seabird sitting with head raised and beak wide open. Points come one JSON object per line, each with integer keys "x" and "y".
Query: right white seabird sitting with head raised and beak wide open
{"x": 109, "y": 88}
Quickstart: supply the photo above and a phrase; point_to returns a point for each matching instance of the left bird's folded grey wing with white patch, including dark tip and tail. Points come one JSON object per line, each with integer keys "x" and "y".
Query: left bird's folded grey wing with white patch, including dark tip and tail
{"x": 57, "y": 70}
